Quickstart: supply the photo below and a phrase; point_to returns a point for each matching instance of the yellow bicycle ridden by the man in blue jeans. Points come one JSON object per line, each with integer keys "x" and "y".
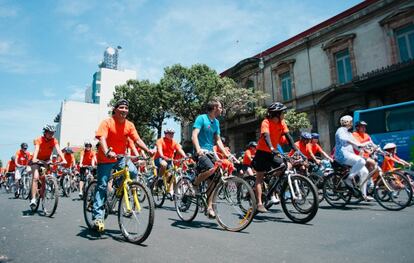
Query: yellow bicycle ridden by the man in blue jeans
{"x": 135, "y": 205}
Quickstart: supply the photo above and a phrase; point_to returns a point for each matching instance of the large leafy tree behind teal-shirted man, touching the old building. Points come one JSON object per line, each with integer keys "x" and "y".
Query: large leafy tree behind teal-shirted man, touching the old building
{"x": 194, "y": 87}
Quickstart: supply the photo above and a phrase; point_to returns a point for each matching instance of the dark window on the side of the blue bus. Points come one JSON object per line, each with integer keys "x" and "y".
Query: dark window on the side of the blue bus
{"x": 400, "y": 119}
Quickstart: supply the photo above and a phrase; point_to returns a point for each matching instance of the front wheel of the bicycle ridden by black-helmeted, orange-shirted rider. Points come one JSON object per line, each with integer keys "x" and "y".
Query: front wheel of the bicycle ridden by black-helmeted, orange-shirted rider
{"x": 300, "y": 200}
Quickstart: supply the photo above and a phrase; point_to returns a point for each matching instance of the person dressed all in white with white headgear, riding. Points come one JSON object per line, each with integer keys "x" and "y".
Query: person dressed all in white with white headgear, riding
{"x": 345, "y": 144}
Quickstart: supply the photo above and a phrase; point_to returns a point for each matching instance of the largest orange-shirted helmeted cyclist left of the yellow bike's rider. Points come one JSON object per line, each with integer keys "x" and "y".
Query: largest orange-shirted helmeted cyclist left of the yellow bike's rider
{"x": 44, "y": 146}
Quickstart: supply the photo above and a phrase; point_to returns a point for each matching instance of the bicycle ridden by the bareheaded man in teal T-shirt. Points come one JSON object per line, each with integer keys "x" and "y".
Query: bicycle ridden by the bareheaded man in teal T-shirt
{"x": 234, "y": 212}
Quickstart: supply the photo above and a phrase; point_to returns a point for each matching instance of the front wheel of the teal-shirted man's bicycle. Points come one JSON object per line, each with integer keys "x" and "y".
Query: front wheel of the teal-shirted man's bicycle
{"x": 227, "y": 204}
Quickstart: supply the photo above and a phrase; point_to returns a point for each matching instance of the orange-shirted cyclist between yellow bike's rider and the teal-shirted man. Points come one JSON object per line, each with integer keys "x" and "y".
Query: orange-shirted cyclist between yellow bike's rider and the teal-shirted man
{"x": 163, "y": 159}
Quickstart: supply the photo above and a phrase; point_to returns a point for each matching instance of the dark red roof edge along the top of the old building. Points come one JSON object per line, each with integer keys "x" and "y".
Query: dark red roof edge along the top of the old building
{"x": 311, "y": 30}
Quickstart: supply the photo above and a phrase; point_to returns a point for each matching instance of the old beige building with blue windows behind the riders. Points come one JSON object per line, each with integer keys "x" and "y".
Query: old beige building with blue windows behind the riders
{"x": 360, "y": 58}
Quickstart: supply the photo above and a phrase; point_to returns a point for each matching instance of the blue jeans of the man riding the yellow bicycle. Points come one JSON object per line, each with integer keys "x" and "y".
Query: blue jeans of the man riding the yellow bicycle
{"x": 104, "y": 174}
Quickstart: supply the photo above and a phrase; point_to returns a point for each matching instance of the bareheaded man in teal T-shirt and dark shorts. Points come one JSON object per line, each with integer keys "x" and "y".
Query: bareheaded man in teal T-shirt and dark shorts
{"x": 206, "y": 133}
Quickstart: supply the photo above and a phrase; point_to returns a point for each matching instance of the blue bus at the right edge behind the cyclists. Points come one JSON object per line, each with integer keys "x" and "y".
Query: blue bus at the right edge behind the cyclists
{"x": 391, "y": 123}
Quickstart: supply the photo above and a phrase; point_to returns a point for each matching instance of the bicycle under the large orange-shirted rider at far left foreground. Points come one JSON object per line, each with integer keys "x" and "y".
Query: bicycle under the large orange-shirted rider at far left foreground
{"x": 47, "y": 190}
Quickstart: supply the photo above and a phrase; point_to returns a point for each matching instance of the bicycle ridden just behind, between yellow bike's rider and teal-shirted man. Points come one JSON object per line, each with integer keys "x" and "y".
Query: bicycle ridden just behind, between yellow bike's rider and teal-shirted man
{"x": 160, "y": 185}
